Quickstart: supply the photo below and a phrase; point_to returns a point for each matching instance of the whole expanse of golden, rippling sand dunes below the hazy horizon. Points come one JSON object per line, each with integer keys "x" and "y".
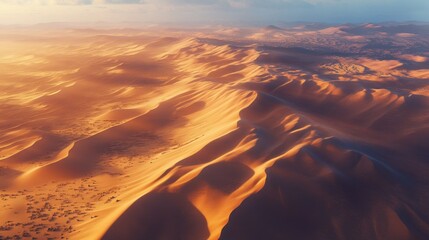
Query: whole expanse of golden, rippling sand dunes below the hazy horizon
{"x": 134, "y": 134}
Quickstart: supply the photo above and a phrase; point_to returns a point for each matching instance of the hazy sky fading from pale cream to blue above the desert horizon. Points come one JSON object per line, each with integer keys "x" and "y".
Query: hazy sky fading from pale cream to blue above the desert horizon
{"x": 259, "y": 12}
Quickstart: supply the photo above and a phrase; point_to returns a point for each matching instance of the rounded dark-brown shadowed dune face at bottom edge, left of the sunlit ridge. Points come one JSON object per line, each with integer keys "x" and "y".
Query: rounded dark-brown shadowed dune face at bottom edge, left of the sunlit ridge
{"x": 161, "y": 216}
